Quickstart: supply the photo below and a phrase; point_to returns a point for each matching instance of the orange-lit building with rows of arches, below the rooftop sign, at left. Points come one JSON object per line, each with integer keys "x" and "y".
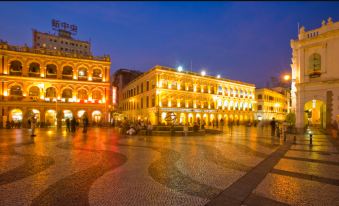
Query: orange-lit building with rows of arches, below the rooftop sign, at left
{"x": 47, "y": 82}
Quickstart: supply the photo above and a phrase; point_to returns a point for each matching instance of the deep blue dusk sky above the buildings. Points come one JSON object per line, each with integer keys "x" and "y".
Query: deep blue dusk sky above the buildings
{"x": 246, "y": 41}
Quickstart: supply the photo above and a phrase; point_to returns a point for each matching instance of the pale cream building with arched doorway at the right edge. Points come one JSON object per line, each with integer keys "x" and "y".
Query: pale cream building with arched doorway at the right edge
{"x": 315, "y": 75}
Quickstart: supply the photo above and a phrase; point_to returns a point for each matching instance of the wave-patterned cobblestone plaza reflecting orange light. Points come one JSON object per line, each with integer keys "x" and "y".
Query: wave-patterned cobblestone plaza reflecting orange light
{"x": 245, "y": 167}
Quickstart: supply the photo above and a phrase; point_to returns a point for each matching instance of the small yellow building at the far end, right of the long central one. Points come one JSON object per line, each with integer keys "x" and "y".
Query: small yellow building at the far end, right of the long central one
{"x": 270, "y": 104}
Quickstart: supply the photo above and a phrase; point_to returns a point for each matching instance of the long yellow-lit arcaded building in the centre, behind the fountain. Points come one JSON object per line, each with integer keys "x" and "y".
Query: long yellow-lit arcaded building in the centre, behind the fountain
{"x": 190, "y": 96}
